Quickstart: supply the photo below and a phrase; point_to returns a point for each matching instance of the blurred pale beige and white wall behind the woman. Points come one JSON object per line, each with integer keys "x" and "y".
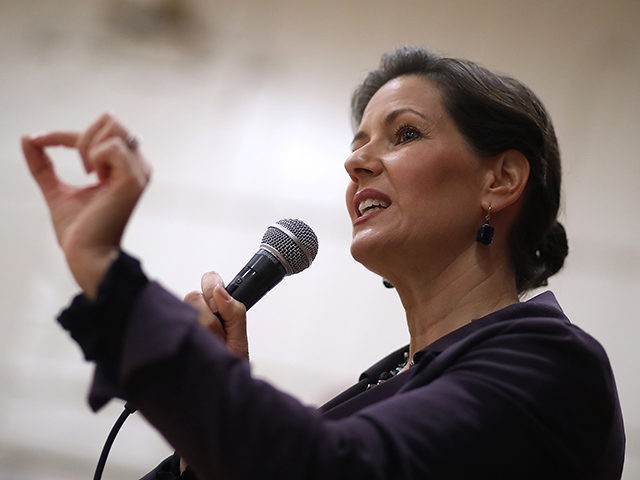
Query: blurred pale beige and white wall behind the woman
{"x": 243, "y": 110}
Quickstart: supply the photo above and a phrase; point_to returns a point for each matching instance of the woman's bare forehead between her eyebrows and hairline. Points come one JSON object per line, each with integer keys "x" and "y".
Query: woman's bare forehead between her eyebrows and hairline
{"x": 411, "y": 91}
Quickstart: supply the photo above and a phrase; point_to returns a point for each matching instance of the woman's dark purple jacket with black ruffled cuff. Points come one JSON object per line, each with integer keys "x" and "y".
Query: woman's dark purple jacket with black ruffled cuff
{"x": 518, "y": 394}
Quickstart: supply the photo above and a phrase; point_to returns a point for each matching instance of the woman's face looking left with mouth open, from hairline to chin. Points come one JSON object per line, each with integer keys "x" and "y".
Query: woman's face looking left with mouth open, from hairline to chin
{"x": 415, "y": 189}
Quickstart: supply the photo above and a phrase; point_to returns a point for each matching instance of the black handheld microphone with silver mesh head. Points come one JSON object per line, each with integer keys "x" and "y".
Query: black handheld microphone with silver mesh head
{"x": 288, "y": 246}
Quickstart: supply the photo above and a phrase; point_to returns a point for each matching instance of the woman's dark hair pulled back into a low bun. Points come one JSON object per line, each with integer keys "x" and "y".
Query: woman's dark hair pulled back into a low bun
{"x": 494, "y": 113}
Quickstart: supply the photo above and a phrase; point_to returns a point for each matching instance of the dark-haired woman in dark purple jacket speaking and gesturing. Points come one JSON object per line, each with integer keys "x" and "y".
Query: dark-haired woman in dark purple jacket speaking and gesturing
{"x": 453, "y": 195}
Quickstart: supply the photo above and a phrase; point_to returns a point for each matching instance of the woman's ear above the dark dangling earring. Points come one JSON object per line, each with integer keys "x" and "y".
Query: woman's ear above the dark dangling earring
{"x": 506, "y": 180}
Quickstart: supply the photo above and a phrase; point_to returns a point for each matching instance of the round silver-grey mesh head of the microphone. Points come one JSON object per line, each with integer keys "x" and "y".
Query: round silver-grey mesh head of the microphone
{"x": 292, "y": 242}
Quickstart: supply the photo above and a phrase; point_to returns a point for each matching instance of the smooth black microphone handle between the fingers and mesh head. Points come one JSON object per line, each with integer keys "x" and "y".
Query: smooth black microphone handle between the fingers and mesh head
{"x": 263, "y": 272}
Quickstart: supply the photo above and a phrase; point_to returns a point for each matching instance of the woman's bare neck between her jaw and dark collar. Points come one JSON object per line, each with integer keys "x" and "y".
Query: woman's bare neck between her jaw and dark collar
{"x": 458, "y": 293}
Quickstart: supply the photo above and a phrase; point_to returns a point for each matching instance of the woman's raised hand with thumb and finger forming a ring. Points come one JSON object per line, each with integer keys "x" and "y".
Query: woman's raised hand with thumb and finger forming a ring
{"x": 89, "y": 220}
